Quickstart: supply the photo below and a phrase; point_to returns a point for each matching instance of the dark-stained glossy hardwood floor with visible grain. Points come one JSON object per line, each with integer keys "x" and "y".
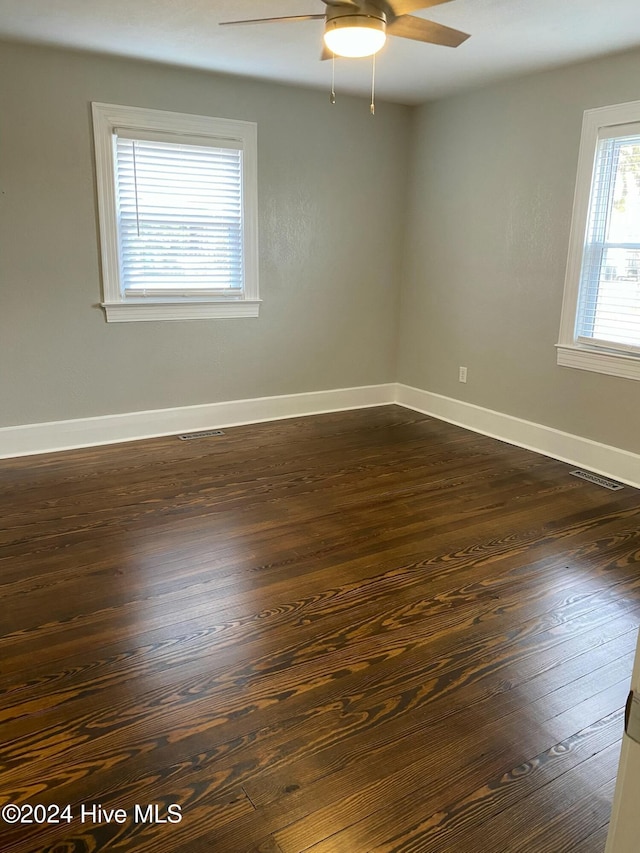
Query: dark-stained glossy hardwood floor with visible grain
{"x": 365, "y": 632}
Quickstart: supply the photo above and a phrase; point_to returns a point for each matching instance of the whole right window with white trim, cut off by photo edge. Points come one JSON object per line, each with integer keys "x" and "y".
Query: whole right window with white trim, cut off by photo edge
{"x": 600, "y": 327}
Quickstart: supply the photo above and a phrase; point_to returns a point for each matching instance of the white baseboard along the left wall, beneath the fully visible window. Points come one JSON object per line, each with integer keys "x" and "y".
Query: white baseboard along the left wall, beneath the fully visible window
{"x": 29, "y": 439}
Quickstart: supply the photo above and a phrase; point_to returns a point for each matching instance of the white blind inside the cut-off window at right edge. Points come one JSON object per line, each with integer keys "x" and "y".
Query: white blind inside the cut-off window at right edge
{"x": 608, "y": 312}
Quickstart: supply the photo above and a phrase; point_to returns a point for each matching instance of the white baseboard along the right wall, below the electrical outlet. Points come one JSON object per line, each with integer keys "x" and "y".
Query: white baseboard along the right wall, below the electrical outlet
{"x": 602, "y": 459}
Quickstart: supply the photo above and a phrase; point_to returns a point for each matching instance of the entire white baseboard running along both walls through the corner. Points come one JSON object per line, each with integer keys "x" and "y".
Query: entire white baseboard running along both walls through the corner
{"x": 603, "y": 459}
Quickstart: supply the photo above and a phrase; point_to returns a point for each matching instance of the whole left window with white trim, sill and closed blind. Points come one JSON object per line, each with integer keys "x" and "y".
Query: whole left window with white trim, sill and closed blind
{"x": 177, "y": 201}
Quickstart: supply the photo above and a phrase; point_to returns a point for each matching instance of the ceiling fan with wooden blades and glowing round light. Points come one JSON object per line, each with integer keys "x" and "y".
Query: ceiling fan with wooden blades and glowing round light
{"x": 355, "y": 28}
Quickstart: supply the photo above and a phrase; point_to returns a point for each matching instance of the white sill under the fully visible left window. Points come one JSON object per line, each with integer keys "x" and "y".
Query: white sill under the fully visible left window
{"x": 133, "y": 312}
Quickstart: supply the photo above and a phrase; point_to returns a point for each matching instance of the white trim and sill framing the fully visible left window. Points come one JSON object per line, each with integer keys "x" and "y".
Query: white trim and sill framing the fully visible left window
{"x": 118, "y": 308}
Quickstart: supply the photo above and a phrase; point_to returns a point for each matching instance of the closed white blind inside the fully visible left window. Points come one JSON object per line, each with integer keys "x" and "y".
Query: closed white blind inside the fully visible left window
{"x": 180, "y": 217}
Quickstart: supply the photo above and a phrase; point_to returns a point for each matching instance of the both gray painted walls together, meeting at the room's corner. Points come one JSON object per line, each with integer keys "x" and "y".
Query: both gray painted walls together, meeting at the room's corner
{"x": 486, "y": 213}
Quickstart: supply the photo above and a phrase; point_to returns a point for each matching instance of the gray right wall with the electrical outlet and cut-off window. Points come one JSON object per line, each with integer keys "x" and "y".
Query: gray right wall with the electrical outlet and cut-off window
{"x": 493, "y": 176}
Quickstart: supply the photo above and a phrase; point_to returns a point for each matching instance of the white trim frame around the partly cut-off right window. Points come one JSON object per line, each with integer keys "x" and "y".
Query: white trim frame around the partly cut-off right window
{"x": 573, "y": 352}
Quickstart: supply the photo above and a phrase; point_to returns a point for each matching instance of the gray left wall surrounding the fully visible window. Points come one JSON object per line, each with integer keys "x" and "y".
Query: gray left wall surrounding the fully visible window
{"x": 332, "y": 184}
